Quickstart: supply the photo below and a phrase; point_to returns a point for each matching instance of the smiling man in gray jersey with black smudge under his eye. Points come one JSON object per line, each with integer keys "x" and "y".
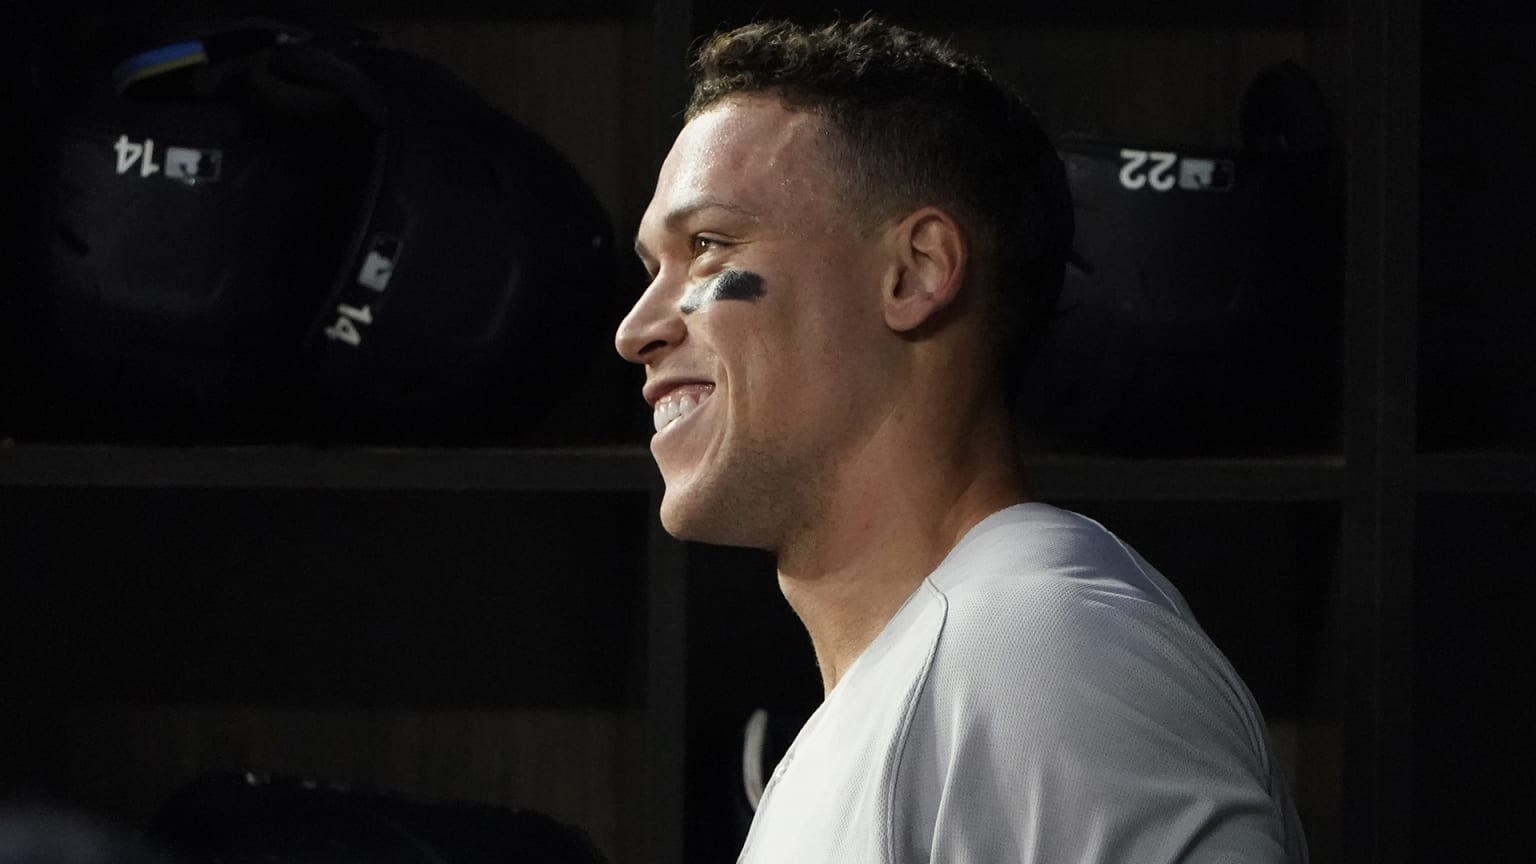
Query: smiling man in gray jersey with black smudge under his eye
{"x": 853, "y": 247}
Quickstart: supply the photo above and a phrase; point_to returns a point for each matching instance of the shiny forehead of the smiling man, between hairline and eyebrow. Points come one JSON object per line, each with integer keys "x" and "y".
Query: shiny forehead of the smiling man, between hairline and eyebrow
{"x": 750, "y": 155}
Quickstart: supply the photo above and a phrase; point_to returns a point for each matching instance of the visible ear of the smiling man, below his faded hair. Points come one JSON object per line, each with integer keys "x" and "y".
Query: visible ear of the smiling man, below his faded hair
{"x": 933, "y": 254}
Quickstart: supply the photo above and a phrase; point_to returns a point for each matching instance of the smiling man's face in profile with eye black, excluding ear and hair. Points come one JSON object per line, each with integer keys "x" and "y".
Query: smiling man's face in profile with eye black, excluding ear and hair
{"x": 761, "y": 330}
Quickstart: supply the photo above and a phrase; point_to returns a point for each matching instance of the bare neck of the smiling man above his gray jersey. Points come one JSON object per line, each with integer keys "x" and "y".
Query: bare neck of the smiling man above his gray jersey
{"x": 887, "y": 530}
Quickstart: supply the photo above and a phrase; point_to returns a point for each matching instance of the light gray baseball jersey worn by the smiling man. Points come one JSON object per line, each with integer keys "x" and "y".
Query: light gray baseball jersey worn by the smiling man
{"x": 1044, "y": 697}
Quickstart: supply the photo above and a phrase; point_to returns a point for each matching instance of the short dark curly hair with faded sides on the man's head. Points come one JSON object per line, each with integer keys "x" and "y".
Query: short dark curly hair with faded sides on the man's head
{"x": 919, "y": 124}
